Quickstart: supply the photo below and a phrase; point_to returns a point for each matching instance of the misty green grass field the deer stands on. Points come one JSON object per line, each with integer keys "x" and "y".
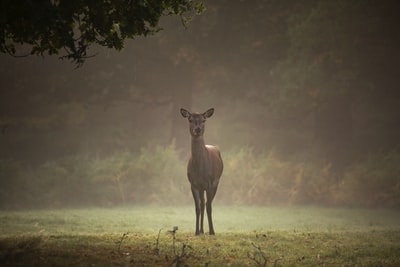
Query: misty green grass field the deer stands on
{"x": 245, "y": 236}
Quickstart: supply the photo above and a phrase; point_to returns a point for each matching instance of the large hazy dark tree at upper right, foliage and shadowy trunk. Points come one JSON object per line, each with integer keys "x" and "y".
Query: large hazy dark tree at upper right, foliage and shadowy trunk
{"x": 341, "y": 71}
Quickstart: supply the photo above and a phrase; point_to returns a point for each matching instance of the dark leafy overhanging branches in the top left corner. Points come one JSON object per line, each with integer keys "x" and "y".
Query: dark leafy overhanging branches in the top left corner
{"x": 69, "y": 28}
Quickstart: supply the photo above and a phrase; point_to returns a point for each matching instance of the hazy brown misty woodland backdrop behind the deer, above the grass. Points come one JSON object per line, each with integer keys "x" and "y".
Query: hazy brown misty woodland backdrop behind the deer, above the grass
{"x": 306, "y": 97}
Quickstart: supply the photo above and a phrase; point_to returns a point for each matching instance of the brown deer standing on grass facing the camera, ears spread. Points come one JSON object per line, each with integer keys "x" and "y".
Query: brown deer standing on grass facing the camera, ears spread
{"x": 204, "y": 168}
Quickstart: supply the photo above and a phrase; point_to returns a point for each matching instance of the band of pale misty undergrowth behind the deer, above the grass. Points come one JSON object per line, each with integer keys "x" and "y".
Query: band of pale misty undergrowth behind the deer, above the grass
{"x": 157, "y": 175}
